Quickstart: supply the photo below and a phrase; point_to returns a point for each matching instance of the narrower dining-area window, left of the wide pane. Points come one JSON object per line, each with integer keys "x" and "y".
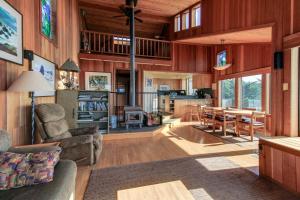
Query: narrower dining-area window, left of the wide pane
{"x": 228, "y": 93}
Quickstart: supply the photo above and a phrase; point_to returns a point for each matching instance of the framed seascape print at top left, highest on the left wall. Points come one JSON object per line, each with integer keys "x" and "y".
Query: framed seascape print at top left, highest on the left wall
{"x": 11, "y": 34}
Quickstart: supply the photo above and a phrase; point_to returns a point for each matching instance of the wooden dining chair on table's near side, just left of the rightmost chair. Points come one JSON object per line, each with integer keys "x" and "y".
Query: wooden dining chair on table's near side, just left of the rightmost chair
{"x": 223, "y": 119}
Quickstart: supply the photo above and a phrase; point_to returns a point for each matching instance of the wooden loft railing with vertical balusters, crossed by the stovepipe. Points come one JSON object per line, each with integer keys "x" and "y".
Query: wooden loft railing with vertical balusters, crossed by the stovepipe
{"x": 105, "y": 43}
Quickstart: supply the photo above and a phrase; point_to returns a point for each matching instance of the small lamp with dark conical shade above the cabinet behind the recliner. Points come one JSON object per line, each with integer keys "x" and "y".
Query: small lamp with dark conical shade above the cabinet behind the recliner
{"x": 68, "y": 76}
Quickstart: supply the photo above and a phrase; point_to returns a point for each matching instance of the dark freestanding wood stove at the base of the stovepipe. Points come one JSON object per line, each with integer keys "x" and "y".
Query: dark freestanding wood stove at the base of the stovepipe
{"x": 133, "y": 116}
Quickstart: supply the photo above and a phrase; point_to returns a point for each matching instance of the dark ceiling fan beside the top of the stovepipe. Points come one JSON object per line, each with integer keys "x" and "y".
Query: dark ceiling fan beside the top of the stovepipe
{"x": 127, "y": 10}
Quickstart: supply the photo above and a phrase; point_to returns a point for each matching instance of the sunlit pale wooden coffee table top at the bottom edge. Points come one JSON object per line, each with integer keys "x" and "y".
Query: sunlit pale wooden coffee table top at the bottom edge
{"x": 174, "y": 190}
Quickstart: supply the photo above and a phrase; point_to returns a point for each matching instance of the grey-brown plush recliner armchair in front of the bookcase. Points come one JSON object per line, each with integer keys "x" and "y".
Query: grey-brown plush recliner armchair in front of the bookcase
{"x": 82, "y": 145}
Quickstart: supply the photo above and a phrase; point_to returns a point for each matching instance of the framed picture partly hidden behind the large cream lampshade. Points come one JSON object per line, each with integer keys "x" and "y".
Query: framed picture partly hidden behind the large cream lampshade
{"x": 47, "y": 69}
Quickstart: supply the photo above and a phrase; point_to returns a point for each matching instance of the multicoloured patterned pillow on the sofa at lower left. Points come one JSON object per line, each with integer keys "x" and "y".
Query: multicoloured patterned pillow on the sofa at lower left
{"x": 17, "y": 170}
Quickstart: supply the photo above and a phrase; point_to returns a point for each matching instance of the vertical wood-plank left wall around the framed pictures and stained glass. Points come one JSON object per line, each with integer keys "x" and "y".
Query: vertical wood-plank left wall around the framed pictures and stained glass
{"x": 15, "y": 107}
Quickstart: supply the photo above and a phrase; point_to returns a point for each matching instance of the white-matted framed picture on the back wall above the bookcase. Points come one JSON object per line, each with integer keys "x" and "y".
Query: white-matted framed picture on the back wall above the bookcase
{"x": 97, "y": 81}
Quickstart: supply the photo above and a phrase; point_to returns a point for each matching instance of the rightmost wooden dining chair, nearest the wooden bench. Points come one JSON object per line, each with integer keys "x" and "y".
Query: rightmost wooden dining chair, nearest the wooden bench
{"x": 258, "y": 121}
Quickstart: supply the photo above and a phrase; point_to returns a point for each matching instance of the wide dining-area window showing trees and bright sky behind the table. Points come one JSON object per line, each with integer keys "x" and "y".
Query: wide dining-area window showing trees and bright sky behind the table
{"x": 251, "y": 92}
